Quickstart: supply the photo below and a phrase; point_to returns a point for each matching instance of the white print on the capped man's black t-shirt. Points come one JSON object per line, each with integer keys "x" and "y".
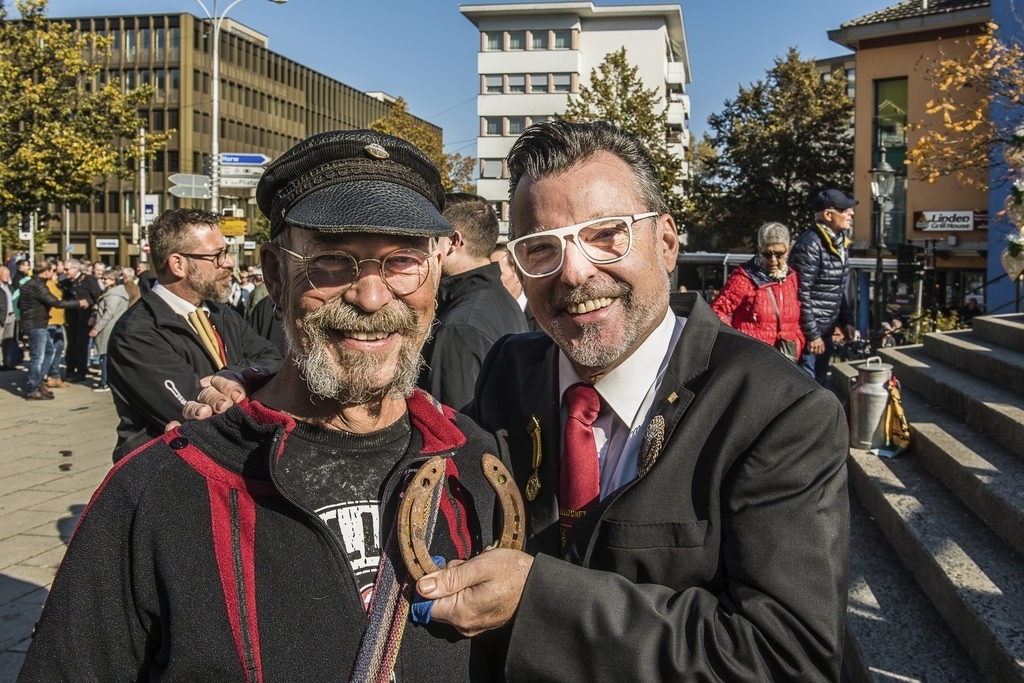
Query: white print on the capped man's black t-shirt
{"x": 358, "y": 523}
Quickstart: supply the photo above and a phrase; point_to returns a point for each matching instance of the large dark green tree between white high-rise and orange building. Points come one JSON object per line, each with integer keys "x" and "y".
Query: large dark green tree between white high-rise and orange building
{"x": 779, "y": 143}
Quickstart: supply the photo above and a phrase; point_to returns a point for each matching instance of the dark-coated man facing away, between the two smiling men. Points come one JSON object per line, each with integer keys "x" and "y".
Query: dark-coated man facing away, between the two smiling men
{"x": 475, "y": 310}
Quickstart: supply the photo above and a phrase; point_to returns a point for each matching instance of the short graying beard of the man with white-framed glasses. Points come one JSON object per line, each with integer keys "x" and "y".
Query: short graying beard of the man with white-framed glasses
{"x": 587, "y": 349}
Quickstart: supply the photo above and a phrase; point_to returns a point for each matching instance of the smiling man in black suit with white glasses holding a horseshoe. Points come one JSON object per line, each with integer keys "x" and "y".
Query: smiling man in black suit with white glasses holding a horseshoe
{"x": 687, "y": 486}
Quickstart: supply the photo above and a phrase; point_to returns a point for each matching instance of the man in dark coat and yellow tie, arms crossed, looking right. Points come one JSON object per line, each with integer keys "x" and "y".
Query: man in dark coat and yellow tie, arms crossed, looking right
{"x": 180, "y": 332}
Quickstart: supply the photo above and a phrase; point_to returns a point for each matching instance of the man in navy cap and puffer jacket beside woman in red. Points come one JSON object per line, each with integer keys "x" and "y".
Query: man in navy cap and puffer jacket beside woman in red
{"x": 821, "y": 259}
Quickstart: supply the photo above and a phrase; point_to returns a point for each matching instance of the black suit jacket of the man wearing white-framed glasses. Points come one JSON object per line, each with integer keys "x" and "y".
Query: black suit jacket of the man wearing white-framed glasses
{"x": 728, "y": 562}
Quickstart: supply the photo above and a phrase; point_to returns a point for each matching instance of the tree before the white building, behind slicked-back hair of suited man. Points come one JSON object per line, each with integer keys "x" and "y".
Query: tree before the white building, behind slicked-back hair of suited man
{"x": 617, "y": 95}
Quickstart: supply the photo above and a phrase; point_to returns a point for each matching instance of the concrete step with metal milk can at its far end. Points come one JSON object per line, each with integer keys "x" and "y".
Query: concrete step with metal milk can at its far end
{"x": 974, "y": 580}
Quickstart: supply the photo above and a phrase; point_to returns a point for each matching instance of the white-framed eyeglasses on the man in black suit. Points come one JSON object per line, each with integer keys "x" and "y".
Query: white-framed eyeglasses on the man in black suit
{"x": 602, "y": 241}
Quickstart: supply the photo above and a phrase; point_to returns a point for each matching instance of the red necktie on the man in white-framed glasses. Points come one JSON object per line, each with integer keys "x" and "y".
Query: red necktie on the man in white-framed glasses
{"x": 580, "y": 477}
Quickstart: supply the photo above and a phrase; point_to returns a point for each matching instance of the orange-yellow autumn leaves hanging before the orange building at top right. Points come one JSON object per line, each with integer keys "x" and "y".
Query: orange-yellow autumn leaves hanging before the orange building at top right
{"x": 960, "y": 138}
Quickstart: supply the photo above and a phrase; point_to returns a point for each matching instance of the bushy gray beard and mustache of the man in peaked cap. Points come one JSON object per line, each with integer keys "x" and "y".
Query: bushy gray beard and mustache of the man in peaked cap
{"x": 333, "y": 372}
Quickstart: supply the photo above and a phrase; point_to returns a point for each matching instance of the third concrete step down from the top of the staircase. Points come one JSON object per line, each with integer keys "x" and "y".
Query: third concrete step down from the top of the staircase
{"x": 995, "y": 411}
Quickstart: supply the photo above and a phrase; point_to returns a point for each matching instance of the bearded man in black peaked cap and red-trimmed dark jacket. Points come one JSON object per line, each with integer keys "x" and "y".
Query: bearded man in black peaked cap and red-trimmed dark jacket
{"x": 261, "y": 544}
